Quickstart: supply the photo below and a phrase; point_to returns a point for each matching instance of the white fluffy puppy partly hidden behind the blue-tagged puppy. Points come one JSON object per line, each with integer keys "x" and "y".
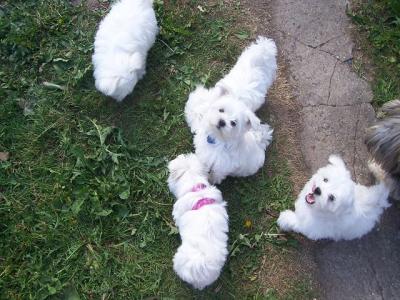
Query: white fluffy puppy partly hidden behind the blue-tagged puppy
{"x": 248, "y": 82}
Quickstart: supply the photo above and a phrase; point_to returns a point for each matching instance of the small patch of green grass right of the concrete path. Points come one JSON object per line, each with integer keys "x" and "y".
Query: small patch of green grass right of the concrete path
{"x": 379, "y": 21}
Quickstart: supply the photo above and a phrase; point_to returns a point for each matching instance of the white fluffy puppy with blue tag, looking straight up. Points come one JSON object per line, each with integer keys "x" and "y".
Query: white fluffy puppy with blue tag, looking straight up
{"x": 231, "y": 140}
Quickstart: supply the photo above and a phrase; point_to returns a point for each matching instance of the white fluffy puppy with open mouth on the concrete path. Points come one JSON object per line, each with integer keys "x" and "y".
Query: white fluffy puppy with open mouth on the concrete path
{"x": 333, "y": 206}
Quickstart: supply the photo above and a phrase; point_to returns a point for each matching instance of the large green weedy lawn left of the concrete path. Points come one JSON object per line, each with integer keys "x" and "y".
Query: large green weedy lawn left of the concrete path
{"x": 84, "y": 206}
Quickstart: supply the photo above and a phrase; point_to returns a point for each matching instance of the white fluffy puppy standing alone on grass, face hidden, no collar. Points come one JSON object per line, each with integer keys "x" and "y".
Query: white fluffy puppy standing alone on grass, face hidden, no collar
{"x": 121, "y": 44}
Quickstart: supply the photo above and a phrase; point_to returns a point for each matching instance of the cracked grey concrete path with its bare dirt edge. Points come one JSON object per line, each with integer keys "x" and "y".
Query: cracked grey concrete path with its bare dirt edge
{"x": 329, "y": 113}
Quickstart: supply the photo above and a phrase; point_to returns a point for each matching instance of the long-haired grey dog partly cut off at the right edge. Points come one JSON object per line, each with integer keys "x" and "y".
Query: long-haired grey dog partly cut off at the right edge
{"x": 383, "y": 142}
